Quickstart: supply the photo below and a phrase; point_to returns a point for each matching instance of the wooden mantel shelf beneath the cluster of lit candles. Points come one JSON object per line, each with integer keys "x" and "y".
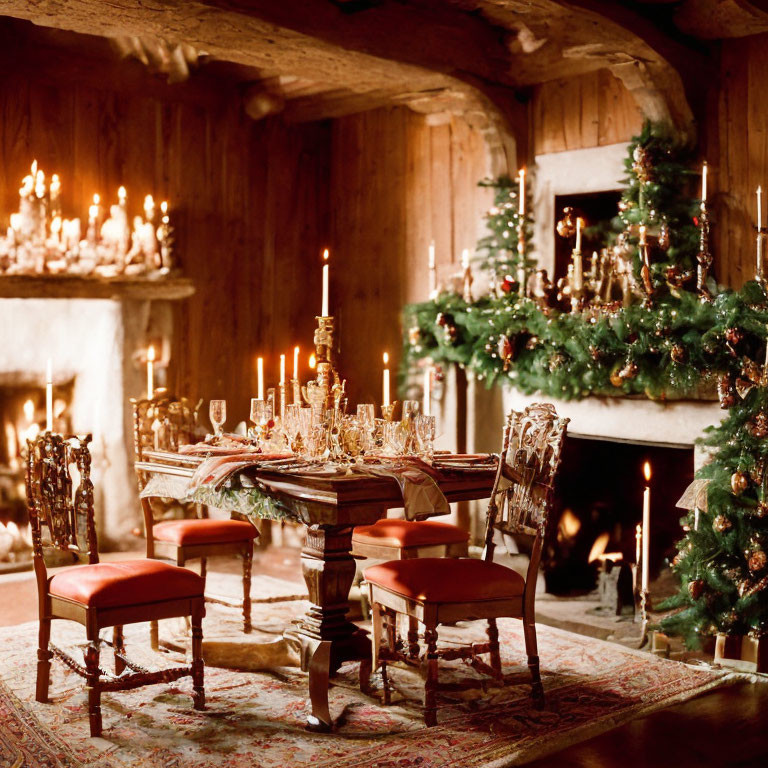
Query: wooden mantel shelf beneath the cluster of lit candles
{"x": 78, "y": 287}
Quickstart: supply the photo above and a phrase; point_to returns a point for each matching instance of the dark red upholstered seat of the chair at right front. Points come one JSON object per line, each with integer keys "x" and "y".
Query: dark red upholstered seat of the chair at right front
{"x": 445, "y": 580}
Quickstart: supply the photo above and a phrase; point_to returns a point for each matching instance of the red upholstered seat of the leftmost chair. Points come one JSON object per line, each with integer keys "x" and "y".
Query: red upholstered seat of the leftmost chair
{"x": 130, "y": 582}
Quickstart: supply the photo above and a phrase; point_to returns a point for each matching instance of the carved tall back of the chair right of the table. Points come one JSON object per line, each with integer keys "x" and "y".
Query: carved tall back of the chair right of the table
{"x": 524, "y": 487}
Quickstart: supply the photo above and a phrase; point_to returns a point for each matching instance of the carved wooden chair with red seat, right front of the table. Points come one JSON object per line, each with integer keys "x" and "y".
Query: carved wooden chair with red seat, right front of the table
{"x": 437, "y": 590}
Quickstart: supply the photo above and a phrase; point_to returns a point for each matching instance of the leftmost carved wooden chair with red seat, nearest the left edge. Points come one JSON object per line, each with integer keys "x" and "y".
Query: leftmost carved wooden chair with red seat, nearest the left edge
{"x": 98, "y": 595}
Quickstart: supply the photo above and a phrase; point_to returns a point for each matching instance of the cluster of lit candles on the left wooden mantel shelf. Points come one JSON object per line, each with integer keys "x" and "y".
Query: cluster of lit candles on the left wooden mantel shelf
{"x": 39, "y": 241}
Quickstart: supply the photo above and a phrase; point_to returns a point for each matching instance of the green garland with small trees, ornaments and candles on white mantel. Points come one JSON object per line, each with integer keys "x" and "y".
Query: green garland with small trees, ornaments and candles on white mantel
{"x": 643, "y": 317}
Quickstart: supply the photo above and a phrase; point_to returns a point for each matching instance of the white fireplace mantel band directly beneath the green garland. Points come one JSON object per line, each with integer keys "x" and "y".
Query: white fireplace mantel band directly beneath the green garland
{"x": 676, "y": 423}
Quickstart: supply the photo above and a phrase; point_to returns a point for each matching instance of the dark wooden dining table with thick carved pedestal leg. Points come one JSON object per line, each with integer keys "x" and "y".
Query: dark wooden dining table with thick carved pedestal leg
{"x": 330, "y": 507}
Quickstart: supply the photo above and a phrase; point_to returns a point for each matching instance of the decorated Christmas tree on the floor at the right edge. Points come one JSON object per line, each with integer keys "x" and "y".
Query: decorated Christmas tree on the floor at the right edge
{"x": 722, "y": 562}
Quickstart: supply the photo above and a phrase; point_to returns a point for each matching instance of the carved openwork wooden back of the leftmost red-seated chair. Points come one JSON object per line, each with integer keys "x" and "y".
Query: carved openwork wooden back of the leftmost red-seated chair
{"x": 60, "y": 502}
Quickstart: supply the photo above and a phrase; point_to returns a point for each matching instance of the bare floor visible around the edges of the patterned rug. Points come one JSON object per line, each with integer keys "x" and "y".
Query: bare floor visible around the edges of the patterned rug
{"x": 725, "y": 728}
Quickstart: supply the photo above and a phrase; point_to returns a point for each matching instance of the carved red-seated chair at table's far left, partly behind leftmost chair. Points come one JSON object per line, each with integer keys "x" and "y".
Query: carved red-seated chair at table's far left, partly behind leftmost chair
{"x": 164, "y": 423}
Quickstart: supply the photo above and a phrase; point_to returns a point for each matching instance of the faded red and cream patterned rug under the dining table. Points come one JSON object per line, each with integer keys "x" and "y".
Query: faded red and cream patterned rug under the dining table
{"x": 256, "y": 719}
